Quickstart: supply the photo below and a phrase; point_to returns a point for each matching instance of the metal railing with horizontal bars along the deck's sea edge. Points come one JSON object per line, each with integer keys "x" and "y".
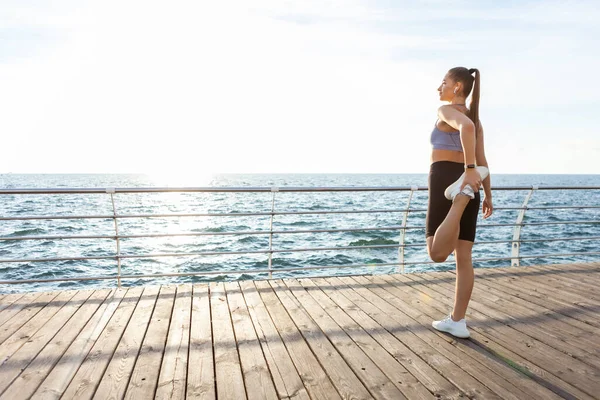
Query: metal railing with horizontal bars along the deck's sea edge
{"x": 515, "y": 242}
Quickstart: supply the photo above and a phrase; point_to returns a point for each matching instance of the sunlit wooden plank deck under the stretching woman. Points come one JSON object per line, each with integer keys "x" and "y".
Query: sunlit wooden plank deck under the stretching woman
{"x": 535, "y": 334}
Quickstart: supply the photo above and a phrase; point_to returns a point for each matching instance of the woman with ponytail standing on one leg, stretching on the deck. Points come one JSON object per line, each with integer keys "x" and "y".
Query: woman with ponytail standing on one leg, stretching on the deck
{"x": 458, "y": 168}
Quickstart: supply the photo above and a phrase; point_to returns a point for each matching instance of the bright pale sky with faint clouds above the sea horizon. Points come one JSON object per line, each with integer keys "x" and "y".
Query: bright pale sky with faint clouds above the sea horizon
{"x": 275, "y": 86}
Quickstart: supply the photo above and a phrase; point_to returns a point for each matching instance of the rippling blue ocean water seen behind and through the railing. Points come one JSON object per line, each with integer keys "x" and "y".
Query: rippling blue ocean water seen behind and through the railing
{"x": 243, "y": 265}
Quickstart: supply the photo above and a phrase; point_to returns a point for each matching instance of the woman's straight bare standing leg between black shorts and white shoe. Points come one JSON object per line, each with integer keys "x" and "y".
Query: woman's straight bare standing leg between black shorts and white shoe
{"x": 465, "y": 278}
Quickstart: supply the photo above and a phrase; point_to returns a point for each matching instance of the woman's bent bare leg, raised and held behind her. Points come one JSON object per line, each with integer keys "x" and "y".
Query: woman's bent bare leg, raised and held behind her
{"x": 445, "y": 240}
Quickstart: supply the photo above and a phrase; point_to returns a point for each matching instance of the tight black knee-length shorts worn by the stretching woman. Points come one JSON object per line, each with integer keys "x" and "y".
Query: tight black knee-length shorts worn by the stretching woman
{"x": 441, "y": 175}
